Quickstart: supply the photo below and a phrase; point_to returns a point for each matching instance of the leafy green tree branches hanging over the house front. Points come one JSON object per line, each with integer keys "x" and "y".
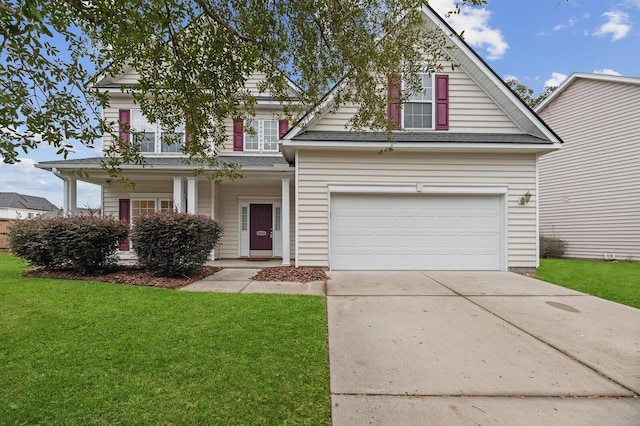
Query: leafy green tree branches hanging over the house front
{"x": 194, "y": 57}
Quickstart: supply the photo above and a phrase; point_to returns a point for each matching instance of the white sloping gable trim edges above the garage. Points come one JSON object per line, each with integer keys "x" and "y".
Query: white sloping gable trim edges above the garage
{"x": 475, "y": 67}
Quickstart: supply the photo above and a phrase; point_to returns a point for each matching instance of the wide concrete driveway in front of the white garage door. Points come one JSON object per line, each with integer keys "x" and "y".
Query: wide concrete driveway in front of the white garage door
{"x": 478, "y": 348}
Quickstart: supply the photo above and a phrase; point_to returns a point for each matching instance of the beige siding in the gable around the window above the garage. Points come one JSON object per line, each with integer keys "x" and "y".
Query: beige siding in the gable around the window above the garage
{"x": 470, "y": 110}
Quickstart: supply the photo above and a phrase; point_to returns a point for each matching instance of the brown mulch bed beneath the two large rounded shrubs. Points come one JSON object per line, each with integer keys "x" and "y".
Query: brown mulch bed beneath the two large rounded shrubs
{"x": 126, "y": 275}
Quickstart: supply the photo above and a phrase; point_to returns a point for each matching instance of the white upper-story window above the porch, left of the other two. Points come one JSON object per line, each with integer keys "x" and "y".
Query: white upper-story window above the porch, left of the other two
{"x": 151, "y": 138}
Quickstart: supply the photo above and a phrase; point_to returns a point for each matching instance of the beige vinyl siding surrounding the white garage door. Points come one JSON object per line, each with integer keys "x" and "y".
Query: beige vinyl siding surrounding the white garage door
{"x": 317, "y": 170}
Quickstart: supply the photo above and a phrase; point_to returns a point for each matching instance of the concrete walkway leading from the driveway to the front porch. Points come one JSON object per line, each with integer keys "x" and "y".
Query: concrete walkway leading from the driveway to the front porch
{"x": 239, "y": 280}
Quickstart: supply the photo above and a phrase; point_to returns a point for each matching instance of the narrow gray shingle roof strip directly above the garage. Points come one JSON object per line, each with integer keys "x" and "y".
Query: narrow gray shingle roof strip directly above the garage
{"x": 408, "y": 137}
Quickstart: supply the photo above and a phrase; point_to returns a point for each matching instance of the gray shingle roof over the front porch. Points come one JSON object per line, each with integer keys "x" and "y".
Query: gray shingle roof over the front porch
{"x": 246, "y": 161}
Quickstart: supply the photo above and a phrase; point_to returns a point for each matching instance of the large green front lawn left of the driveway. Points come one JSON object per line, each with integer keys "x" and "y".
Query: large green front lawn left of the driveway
{"x": 81, "y": 352}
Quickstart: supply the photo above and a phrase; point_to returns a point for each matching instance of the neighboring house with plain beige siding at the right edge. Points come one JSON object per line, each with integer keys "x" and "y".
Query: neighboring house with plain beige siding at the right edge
{"x": 590, "y": 190}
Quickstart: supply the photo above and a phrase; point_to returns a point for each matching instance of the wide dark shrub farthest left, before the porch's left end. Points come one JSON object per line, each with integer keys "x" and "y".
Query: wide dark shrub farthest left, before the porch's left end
{"x": 85, "y": 244}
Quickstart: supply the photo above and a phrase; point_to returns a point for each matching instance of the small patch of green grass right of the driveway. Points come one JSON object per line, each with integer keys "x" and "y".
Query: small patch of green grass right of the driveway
{"x": 616, "y": 281}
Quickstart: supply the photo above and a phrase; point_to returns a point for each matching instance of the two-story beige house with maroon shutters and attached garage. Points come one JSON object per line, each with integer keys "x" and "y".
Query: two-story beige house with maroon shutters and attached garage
{"x": 451, "y": 195}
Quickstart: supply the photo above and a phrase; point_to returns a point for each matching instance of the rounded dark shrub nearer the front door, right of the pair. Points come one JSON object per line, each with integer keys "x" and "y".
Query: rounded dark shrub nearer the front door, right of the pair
{"x": 172, "y": 244}
